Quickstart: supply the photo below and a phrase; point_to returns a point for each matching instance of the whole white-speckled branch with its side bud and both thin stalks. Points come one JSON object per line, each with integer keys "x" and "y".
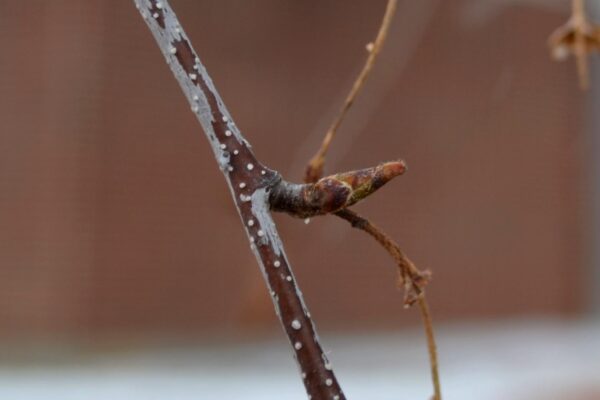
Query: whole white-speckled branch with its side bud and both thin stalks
{"x": 257, "y": 190}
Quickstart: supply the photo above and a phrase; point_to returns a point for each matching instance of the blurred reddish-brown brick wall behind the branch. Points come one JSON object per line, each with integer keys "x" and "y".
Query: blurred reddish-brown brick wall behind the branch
{"x": 115, "y": 218}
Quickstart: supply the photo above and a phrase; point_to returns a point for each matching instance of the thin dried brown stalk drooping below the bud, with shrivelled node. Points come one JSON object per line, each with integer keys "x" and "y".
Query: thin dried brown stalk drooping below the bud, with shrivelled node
{"x": 410, "y": 278}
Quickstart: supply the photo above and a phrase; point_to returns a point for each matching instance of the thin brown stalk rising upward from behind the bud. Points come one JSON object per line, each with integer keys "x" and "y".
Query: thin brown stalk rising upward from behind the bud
{"x": 314, "y": 171}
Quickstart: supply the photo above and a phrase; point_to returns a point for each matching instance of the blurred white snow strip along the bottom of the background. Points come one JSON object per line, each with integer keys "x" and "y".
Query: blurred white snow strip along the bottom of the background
{"x": 508, "y": 360}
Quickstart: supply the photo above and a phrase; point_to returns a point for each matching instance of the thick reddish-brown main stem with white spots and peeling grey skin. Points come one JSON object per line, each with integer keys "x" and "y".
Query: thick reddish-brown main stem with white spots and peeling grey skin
{"x": 250, "y": 183}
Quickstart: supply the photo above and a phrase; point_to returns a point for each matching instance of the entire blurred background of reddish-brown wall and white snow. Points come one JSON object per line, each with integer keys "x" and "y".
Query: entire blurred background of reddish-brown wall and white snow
{"x": 124, "y": 273}
